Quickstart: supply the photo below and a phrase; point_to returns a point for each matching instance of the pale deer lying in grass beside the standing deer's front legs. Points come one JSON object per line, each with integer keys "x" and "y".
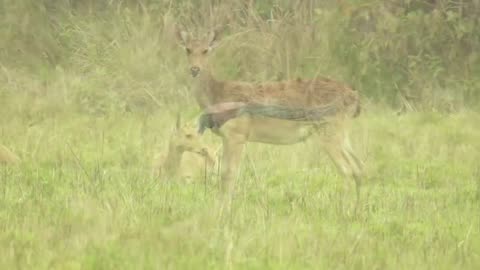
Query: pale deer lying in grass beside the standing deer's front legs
{"x": 187, "y": 155}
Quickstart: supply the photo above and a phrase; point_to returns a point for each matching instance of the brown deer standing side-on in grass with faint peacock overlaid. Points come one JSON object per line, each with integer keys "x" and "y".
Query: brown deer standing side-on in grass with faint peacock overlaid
{"x": 284, "y": 112}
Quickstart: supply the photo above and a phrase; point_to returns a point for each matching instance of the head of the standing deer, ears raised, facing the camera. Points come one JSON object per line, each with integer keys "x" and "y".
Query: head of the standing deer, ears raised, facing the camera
{"x": 198, "y": 49}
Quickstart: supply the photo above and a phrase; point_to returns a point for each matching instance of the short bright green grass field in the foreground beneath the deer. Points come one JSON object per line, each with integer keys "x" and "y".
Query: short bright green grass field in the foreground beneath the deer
{"x": 83, "y": 199}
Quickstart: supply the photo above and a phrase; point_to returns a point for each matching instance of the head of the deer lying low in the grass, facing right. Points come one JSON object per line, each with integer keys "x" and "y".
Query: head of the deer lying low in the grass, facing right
{"x": 185, "y": 138}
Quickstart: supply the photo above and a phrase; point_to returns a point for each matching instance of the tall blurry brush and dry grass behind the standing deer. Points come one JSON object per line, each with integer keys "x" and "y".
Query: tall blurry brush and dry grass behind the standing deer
{"x": 98, "y": 57}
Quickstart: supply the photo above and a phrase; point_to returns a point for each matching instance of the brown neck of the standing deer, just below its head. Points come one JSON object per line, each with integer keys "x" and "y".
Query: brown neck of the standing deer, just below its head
{"x": 207, "y": 89}
